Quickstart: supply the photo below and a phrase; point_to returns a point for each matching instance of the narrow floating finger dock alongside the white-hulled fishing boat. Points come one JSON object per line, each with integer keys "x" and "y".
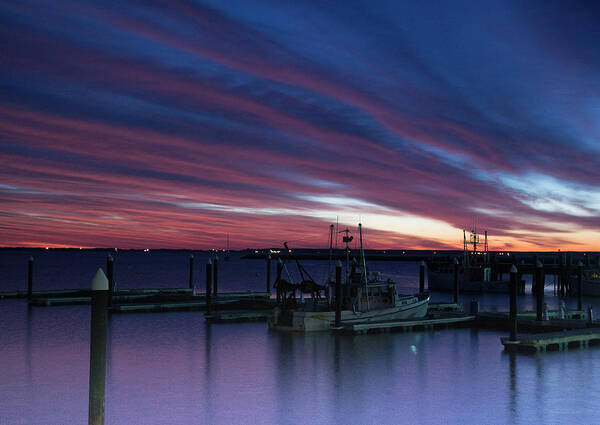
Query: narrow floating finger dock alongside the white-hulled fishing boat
{"x": 436, "y": 322}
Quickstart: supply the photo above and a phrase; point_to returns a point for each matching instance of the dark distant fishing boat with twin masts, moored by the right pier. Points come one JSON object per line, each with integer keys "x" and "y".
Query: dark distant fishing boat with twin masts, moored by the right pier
{"x": 475, "y": 274}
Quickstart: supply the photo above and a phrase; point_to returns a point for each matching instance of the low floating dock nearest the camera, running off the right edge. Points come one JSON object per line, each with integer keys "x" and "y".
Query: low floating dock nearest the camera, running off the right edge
{"x": 552, "y": 341}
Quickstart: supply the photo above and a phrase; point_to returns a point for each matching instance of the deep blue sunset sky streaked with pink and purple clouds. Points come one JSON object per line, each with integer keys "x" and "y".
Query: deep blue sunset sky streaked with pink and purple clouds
{"x": 171, "y": 124}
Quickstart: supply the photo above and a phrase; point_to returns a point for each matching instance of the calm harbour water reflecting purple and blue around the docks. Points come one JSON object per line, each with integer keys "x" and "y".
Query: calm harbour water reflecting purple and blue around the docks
{"x": 173, "y": 368}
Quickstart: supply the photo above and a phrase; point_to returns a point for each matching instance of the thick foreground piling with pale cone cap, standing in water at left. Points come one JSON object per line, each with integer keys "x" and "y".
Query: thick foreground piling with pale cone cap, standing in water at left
{"x": 98, "y": 349}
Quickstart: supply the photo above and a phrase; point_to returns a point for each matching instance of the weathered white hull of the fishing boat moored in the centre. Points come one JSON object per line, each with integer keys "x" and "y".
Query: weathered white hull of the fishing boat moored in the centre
{"x": 314, "y": 321}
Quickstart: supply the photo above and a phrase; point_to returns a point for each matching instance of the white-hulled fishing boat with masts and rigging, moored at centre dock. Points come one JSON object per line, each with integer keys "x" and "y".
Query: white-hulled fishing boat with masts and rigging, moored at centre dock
{"x": 366, "y": 297}
